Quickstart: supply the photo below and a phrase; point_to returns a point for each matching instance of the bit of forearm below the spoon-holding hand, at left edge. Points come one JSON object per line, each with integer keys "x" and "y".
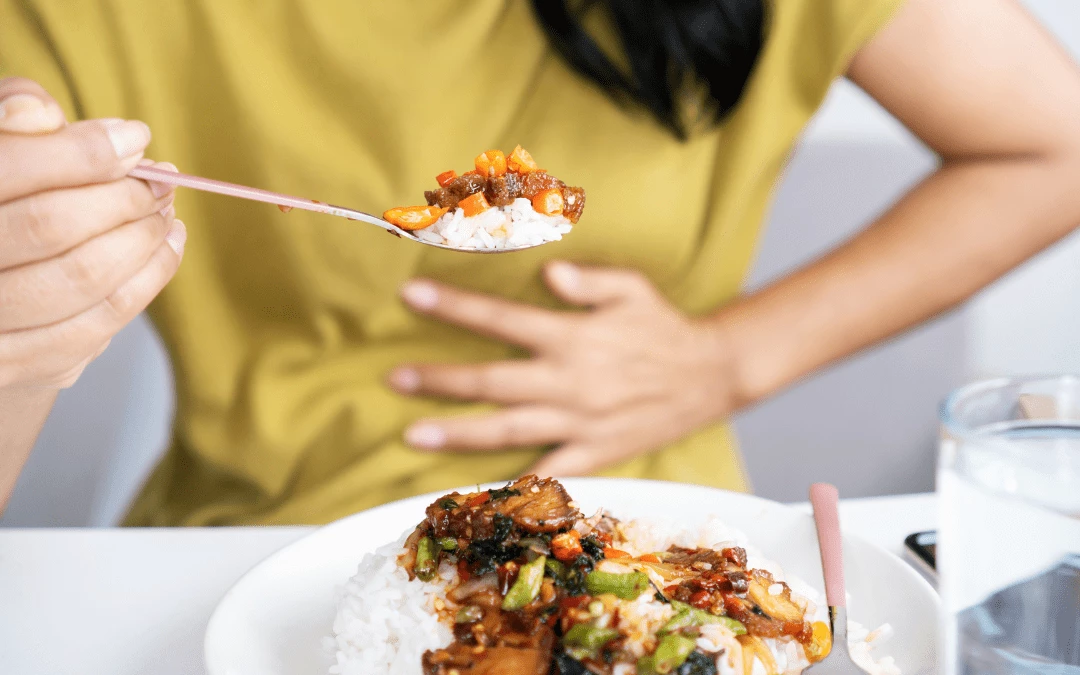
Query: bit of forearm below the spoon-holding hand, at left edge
{"x": 22, "y": 415}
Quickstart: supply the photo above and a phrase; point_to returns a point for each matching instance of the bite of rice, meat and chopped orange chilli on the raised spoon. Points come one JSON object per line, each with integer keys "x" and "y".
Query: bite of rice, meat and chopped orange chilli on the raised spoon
{"x": 504, "y": 202}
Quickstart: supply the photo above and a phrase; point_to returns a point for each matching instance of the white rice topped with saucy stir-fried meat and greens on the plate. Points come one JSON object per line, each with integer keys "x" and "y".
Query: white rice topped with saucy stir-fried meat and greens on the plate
{"x": 518, "y": 582}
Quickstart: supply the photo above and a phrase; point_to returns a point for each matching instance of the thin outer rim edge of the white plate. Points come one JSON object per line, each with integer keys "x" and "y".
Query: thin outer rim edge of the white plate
{"x": 320, "y": 531}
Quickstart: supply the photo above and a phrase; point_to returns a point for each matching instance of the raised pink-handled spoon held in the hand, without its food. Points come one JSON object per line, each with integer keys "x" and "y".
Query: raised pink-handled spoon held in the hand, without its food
{"x": 288, "y": 204}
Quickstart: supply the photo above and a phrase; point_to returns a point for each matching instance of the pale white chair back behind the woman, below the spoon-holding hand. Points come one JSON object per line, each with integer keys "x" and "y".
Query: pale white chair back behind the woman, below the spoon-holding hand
{"x": 102, "y": 440}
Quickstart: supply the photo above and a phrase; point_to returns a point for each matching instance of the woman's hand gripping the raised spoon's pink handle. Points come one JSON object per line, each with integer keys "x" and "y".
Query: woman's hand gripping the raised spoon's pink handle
{"x": 84, "y": 249}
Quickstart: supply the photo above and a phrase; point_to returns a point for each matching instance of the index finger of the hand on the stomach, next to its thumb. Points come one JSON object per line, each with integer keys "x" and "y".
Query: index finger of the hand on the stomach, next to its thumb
{"x": 511, "y": 322}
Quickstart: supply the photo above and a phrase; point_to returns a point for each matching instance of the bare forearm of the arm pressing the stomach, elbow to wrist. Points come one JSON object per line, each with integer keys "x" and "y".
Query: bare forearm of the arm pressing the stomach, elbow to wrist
{"x": 964, "y": 227}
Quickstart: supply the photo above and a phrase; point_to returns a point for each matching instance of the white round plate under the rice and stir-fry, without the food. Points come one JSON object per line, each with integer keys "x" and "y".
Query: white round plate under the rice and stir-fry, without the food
{"x": 273, "y": 622}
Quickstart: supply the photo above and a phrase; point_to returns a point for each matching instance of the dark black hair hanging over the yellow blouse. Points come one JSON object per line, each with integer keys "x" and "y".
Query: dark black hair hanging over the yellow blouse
{"x": 670, "y": 46}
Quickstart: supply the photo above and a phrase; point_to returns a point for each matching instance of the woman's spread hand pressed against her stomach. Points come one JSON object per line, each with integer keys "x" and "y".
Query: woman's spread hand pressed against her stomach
{"x": 626, "y": 377}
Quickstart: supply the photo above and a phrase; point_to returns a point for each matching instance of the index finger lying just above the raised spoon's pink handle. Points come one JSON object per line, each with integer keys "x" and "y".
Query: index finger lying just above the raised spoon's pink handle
{"x": 78, "y": 155}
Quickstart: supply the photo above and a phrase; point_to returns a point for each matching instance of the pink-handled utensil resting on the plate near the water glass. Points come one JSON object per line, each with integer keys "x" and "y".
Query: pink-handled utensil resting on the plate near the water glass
{"x": 826, "y": 499}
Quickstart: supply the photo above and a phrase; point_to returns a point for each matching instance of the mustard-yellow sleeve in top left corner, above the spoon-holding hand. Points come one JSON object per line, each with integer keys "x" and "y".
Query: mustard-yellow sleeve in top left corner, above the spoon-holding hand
{"x": 28, "y": 51}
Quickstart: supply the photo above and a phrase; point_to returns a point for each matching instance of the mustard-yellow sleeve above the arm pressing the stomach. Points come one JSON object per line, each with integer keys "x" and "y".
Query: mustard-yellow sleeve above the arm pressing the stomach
{"x": 821, "y": 37}
